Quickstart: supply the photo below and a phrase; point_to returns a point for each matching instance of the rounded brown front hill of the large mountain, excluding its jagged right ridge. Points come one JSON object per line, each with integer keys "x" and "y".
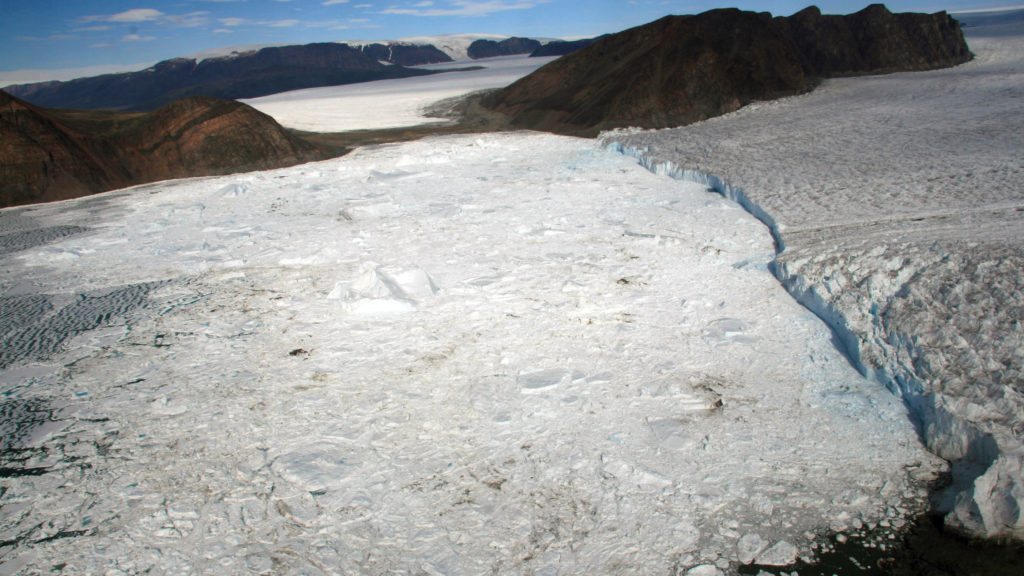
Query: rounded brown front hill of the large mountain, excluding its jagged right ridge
{"x": 676, "y": 69}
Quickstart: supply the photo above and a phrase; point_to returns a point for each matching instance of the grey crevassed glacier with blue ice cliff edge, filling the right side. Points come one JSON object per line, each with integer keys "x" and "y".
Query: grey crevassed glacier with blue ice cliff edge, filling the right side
{"x": 898, "y": 211}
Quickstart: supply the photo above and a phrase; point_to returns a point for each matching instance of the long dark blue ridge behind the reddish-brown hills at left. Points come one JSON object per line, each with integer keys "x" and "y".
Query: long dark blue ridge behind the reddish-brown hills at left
{"x": 240, "y": 76}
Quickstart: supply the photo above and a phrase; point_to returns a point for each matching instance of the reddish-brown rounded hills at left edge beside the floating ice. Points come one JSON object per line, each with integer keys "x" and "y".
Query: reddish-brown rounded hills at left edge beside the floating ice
{"x": 54, "y": 155}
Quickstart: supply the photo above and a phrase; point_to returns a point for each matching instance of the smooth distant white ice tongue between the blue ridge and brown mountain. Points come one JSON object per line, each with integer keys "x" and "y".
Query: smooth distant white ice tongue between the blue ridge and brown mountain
{"x": 391, "y": 104}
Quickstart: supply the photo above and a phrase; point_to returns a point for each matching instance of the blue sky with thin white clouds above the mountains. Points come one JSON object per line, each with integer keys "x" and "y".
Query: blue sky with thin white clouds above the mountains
{"x": 73, "y": 34}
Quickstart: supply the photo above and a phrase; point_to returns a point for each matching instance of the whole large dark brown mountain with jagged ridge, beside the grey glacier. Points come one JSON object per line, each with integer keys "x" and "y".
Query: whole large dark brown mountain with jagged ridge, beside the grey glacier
{"x": 679, "y": 70}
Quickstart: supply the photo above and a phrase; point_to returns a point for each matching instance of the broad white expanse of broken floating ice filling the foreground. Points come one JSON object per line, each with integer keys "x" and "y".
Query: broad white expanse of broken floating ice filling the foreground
{"x": 507, "y": 353}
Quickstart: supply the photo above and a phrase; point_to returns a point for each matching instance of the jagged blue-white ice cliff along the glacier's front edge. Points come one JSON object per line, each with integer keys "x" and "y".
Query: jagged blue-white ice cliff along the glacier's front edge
{"x": 984, "y": 500}
